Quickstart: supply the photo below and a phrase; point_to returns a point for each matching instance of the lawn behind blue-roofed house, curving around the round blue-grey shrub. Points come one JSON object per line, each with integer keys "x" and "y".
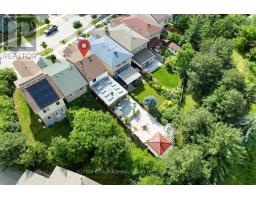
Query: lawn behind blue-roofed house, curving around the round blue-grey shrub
{"x": 144, "y": 90}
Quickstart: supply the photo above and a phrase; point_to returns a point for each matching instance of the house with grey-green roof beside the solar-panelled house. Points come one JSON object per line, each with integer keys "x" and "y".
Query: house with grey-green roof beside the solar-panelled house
{"x": 66, "y": 76}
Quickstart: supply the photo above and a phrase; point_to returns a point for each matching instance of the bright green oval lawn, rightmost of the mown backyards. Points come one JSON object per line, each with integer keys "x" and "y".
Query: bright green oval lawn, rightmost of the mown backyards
{"x": 165, "y": 78}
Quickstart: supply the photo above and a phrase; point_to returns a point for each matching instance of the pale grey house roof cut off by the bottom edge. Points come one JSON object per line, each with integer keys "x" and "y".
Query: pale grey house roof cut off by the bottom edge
{"x": 59, "y": 176}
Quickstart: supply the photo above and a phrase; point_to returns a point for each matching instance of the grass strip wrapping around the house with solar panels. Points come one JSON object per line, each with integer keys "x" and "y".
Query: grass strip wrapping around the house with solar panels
{"x": 32, "y": 128}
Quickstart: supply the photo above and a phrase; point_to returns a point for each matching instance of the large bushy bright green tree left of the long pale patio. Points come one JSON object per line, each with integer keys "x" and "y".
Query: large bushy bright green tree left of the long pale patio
{"x": 100, "y": 137}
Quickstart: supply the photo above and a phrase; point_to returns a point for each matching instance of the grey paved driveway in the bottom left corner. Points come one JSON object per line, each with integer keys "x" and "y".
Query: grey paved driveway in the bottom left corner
{"x": 9, "y": 177}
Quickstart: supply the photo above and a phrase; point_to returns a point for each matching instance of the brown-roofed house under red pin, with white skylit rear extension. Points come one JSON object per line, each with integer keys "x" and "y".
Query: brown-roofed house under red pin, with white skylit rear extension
{"x": 94, "y": 71}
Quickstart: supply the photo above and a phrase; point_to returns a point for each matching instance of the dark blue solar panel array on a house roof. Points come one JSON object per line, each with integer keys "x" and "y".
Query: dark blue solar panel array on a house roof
{"x": 43, "y": 93}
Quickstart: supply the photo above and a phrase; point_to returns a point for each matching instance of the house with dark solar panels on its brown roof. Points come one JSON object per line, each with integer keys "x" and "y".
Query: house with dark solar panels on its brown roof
{"x": 40, "y": 92}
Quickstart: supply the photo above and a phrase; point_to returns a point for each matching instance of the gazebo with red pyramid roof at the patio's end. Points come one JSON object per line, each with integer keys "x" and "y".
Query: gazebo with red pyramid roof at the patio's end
{"x": 159, "y": 144}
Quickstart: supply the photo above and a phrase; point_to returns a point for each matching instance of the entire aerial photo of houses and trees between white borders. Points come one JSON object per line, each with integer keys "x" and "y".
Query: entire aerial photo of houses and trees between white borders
{"x": 120, "y": 99}
